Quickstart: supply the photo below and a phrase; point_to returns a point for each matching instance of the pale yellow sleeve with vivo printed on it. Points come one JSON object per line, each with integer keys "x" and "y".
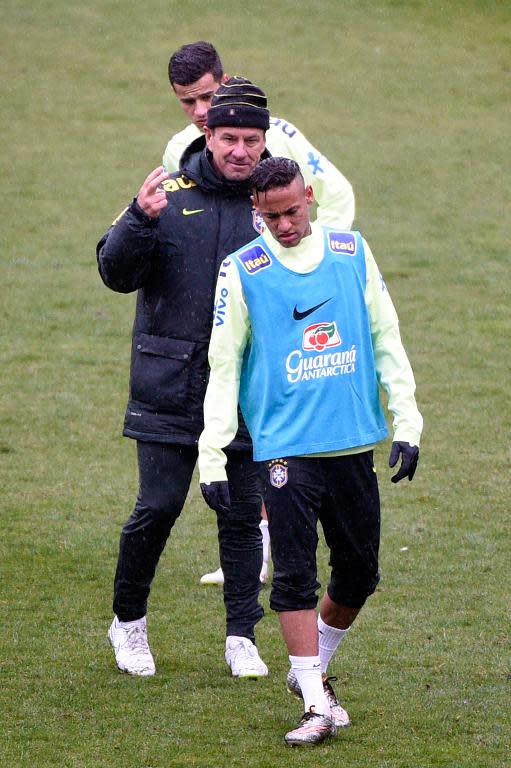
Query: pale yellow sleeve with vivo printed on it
{"x": 231, "y": 331}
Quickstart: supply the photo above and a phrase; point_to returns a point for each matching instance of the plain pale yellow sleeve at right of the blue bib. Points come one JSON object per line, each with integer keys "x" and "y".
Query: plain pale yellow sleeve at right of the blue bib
{"x": 393, "y": 368}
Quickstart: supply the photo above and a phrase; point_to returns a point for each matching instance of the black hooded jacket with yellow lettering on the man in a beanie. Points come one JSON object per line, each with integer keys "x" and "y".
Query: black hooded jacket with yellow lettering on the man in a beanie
{"x": 173, "y": 263}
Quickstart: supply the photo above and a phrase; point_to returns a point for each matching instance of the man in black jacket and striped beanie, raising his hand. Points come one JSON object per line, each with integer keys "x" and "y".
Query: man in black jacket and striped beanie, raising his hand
{"x": 168, "y": 245}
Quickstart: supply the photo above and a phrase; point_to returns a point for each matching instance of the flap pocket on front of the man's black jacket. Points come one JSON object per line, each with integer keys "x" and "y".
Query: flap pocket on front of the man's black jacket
{"x": 161, "y": 371}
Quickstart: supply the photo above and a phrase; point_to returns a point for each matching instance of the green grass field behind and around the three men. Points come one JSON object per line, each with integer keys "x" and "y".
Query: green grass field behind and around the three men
{"x": 411, "y": 100}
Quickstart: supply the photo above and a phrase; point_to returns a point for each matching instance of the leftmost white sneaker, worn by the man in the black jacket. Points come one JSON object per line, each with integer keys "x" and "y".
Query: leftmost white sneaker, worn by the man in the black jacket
{"x": 132, "y": 652}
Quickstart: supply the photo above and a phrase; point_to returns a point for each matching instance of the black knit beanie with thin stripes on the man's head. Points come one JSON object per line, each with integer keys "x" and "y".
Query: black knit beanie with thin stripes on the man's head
{"x": 239, "y": 103}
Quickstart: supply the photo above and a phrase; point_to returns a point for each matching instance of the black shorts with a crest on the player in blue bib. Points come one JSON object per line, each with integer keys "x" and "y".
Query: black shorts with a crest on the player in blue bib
{"x": 342, "y": 493}
